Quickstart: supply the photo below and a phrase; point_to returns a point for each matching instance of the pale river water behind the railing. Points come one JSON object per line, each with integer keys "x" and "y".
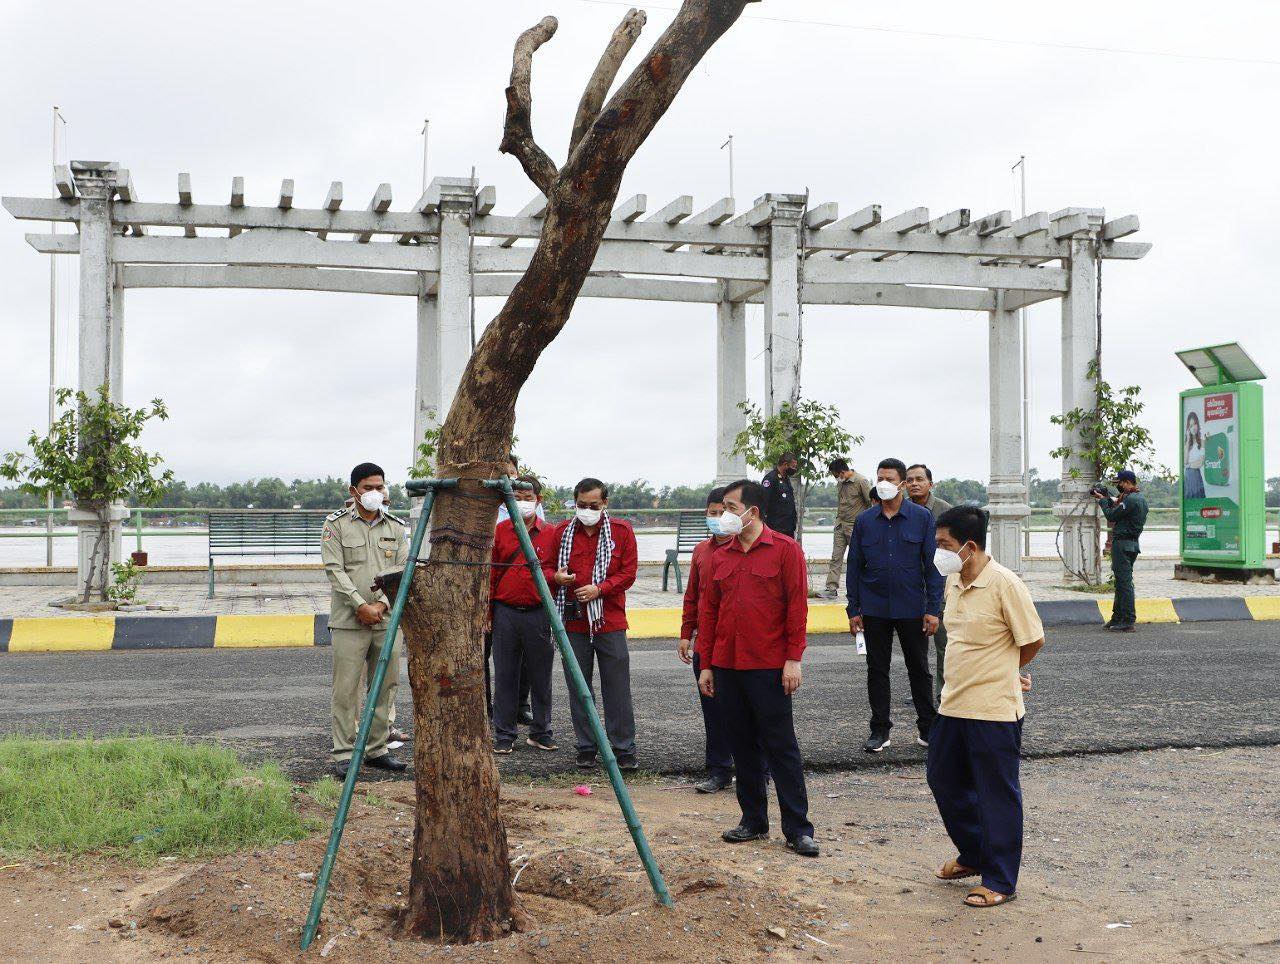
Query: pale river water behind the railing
{"x": 193, "y": 550}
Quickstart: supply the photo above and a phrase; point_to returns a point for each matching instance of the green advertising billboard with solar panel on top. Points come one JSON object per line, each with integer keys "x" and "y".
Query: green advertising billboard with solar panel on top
{"x": 1224, "y": 490}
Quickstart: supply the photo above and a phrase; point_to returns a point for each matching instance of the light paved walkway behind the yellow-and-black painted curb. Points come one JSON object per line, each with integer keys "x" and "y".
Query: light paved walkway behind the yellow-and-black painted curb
{"x": 313, "y": 597}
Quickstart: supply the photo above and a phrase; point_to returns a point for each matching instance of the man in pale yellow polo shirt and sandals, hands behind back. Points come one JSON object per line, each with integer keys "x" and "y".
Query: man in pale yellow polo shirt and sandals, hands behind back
{"x": 976, "y": 743}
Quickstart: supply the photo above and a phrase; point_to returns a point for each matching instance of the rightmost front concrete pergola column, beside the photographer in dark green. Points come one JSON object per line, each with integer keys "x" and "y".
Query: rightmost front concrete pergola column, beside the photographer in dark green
{"x": 1081, "y": 531}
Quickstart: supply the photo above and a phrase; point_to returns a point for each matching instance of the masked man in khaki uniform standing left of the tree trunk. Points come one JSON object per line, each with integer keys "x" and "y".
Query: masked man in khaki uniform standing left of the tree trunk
{"x": 359, "y": 543}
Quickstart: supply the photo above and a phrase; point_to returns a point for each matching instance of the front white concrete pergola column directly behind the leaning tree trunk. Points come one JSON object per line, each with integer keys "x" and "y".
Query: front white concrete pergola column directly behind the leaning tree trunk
{"x": 454, "y": 301}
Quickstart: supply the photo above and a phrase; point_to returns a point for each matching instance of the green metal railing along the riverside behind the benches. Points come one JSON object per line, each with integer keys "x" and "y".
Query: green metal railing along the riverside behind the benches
{"x": 650, "y": 519}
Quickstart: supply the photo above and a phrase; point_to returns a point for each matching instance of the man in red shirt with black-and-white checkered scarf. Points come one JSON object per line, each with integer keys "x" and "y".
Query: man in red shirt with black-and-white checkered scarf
{"x": 596, "y": 565}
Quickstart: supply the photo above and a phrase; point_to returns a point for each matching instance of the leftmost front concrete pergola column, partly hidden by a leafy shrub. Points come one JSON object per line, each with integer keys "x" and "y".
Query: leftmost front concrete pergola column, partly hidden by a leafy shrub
{"x": 100, "y": 344}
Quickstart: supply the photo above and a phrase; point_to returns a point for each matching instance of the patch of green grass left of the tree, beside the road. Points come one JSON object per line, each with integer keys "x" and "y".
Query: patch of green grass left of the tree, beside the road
{"x": 139, "y": 799}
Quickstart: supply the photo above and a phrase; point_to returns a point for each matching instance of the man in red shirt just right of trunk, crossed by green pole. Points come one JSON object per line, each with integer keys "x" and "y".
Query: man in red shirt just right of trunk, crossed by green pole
{"x": 522, "y": 632}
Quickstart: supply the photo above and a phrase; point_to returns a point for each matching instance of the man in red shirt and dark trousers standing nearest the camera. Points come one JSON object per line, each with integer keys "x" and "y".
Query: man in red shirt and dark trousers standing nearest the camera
{"x": 751, "y": 641}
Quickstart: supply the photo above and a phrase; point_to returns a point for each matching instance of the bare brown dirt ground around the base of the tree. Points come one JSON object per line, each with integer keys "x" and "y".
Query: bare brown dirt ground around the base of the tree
{"x": 1146, "y": 857}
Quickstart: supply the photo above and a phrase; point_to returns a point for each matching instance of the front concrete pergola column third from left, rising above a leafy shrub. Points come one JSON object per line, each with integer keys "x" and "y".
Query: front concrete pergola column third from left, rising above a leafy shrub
{"x": 783, "y": 335}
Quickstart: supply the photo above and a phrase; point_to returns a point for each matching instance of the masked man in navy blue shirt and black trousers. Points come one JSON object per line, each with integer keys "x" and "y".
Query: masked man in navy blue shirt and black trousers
{"x": 894, "y": 587}
